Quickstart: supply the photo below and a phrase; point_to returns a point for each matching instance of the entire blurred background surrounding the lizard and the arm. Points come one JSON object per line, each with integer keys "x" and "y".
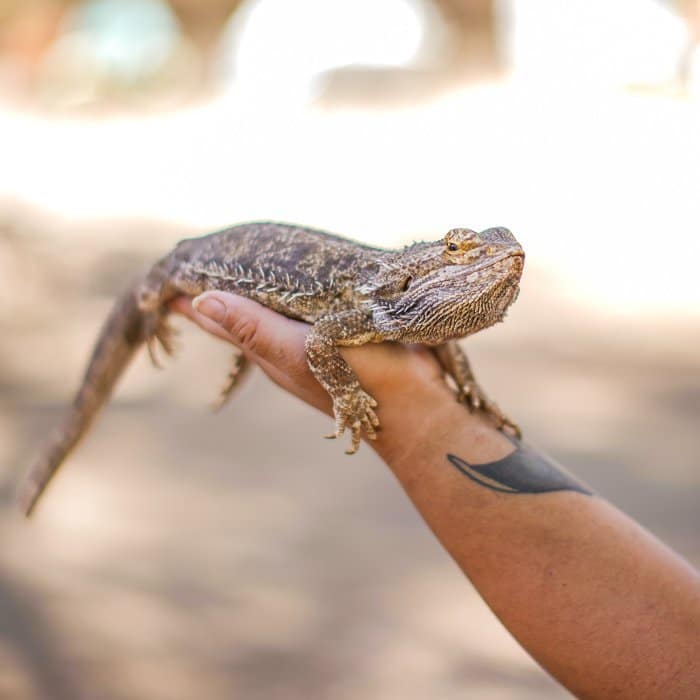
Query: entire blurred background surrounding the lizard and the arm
{"x": 184, "y": 555}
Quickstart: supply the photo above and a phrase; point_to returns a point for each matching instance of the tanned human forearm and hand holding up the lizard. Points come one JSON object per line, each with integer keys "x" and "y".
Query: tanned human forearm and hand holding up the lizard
{"x": 597, "y": 600}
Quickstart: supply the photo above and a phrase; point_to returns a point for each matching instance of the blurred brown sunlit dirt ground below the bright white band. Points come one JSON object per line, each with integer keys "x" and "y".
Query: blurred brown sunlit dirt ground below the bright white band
{"x": 183, "y": 554}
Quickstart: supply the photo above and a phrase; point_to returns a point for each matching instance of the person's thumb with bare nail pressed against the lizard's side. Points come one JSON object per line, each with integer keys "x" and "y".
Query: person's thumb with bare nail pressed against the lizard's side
{"x": 262, "y": 334}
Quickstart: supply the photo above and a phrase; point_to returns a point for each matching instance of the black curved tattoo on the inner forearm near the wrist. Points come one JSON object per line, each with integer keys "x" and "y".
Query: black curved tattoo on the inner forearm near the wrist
{"x": 522, "y": 471}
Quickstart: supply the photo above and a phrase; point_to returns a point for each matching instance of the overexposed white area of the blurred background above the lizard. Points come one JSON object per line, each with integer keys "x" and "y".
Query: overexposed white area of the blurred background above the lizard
{"x": 594, "y": 170}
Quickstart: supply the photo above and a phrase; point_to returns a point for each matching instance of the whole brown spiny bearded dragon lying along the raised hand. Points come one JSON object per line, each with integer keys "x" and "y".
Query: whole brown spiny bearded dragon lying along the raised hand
{"x": 430, "y": 293}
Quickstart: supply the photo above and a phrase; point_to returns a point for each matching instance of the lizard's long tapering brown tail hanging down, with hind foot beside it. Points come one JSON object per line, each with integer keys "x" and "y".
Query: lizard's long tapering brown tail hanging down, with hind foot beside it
{"x": 124, "y": 331}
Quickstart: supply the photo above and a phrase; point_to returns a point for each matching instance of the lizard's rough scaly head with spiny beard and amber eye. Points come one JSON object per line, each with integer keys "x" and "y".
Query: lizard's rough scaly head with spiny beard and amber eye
{"x": 432, "y": 292}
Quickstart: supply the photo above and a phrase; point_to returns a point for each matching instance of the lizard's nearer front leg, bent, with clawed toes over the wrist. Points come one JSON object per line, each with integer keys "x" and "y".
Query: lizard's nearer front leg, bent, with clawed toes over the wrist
{"x": 352, "y": 406}
